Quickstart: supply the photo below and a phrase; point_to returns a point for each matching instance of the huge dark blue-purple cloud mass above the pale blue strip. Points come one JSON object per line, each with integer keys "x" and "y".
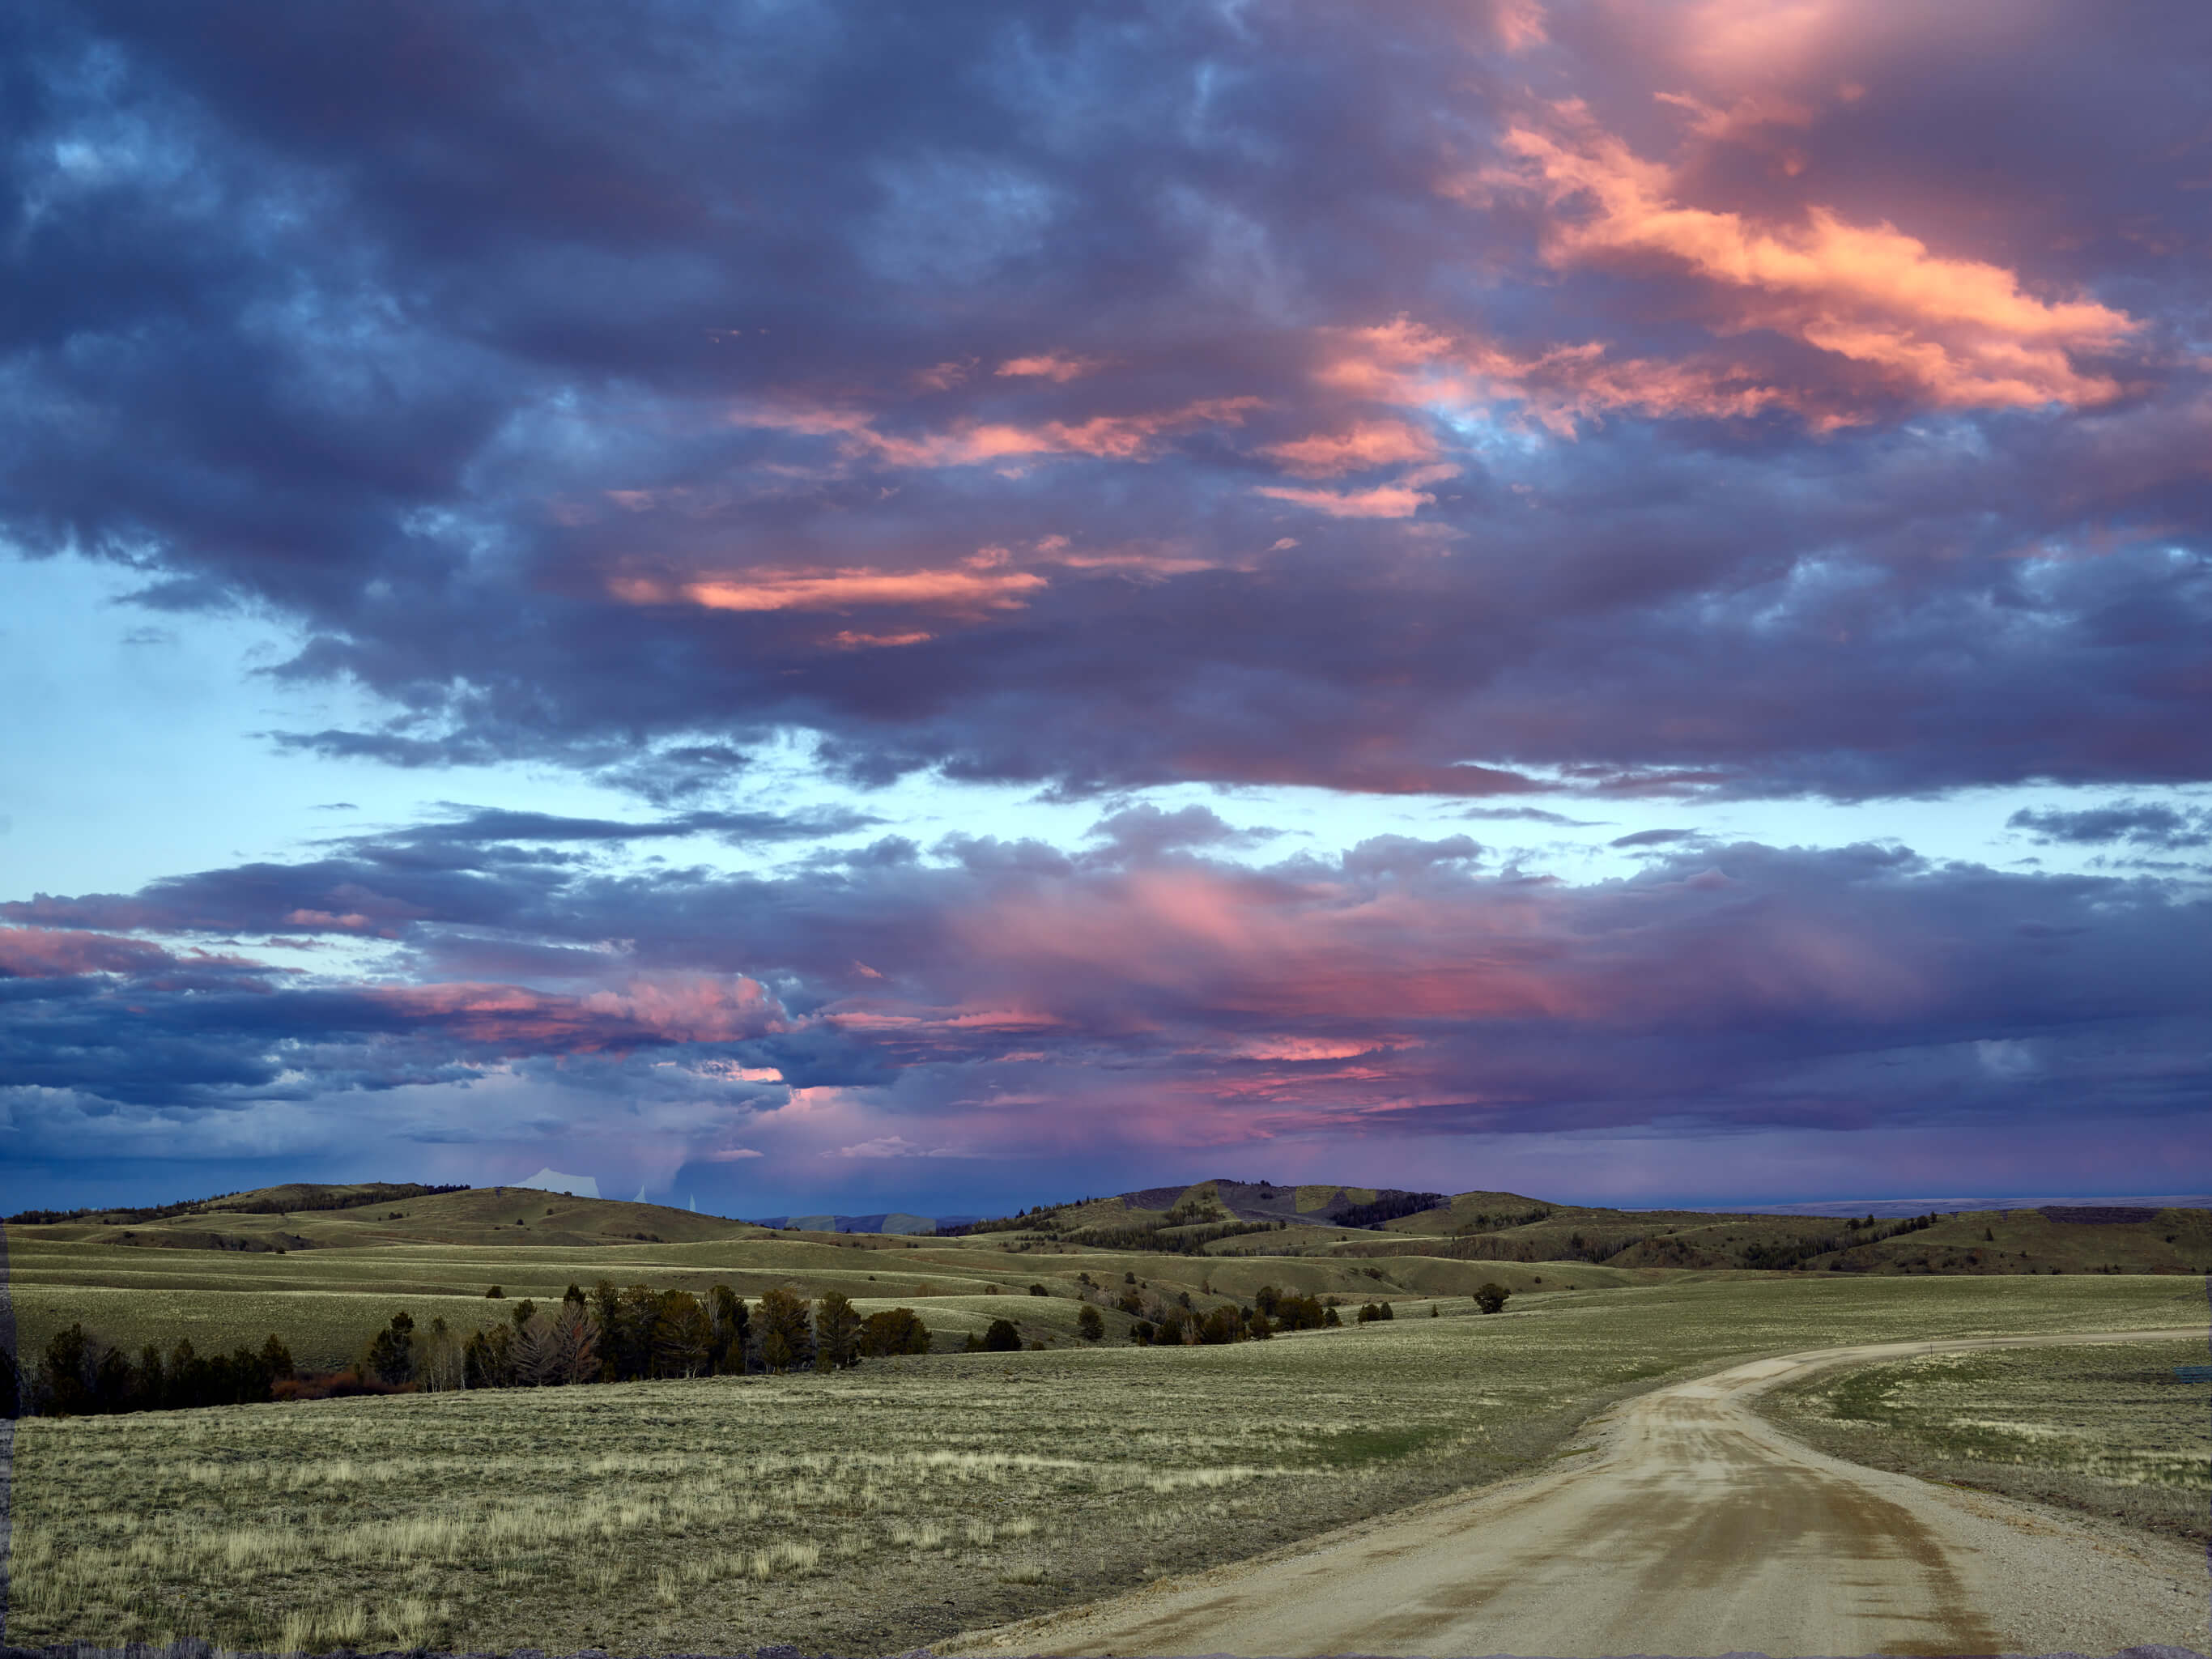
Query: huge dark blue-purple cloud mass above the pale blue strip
{"x": 1107, "y": 395}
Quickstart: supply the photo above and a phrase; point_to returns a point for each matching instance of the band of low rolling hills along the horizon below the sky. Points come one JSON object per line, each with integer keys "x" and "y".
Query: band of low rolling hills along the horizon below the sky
{"x": 1211, "y": 1220}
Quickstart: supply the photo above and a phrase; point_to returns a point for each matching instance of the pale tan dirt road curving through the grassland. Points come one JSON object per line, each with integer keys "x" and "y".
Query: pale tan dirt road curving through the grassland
{"x": 1689, "y": 1527}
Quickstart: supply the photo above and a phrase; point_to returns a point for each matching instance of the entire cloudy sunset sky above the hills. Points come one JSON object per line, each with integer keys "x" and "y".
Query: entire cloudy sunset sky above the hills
{"x": 831, "y": 607}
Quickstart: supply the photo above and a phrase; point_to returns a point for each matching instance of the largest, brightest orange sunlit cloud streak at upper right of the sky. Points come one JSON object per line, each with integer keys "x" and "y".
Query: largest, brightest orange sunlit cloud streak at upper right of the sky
{"x": 1950, "y": 333}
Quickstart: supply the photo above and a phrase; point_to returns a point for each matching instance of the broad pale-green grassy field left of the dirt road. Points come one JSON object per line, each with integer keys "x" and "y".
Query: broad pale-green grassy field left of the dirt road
{"x": 877, "y": 1510}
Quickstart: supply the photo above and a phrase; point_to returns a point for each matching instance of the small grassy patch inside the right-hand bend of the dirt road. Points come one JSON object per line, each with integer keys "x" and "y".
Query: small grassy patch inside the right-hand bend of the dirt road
{"x": 2105, "y": 1430}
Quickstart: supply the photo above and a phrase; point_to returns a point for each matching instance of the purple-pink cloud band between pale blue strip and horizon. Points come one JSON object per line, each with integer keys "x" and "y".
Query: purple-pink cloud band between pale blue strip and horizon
{"x": 1397, "y": 990}
